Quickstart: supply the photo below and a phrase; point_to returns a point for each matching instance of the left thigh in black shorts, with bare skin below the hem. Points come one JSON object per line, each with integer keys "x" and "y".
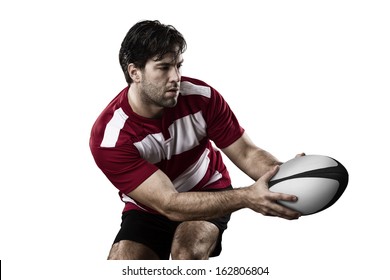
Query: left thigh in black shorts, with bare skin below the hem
{"x": 142, "y": 232}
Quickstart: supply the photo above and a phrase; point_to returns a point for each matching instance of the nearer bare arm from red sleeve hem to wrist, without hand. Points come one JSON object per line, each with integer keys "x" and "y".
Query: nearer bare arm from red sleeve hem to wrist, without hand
{"x": 158, "y": 193}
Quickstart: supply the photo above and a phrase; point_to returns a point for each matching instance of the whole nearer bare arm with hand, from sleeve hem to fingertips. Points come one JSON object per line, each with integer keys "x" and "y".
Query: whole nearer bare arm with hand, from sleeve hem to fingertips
{"x": 158, "y": 193}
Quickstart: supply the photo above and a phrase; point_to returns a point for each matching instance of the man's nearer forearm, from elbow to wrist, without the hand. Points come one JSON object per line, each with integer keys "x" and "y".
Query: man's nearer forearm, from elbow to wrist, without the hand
{"x": 205, "y": 205}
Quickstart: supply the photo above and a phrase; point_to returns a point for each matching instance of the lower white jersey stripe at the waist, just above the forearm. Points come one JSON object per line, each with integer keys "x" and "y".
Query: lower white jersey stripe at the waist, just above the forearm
{"x": 192, "y": 176}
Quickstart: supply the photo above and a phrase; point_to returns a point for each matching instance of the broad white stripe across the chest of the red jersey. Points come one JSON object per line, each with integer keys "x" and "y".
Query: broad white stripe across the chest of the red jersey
{"x": 185, "y": 134}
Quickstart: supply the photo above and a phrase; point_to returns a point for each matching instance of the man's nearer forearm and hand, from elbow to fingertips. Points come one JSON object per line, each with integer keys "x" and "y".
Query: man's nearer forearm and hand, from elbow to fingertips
{"x": 208, "y": 205}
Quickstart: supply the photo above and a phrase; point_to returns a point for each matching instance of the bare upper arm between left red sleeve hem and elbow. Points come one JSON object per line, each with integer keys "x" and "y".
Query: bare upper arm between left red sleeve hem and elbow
{"x": 155, "y": 192}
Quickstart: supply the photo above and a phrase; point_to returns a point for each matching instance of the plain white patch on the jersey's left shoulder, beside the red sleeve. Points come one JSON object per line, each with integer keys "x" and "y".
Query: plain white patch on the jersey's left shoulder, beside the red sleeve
{"x": 113, "y": 128}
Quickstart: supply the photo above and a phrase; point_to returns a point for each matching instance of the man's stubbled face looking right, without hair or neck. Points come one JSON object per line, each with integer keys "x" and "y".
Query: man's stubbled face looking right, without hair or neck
{"x": 161, "y": 81}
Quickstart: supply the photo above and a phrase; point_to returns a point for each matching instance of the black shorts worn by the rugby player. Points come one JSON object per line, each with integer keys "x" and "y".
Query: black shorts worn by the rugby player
{"x": 157, "y": 231}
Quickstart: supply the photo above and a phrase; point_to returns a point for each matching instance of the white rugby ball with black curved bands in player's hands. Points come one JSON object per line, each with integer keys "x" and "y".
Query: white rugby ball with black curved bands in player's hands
{"x": 318, "y": 182}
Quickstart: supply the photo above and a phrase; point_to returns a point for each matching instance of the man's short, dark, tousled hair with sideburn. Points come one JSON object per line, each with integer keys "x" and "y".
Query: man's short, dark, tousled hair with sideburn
{"x": 148, "y": 39}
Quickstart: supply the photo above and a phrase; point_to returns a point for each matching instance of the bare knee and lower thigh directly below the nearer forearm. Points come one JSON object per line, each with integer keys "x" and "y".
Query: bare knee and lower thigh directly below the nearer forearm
{"x": 195, "y": 240}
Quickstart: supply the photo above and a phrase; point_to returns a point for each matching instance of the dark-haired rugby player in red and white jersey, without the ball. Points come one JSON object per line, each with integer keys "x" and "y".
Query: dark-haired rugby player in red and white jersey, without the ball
{"x": 154, "y": 143}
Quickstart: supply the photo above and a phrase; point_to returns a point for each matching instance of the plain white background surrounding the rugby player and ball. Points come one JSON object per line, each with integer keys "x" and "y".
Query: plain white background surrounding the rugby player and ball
{"x": 309, "y": 76}
